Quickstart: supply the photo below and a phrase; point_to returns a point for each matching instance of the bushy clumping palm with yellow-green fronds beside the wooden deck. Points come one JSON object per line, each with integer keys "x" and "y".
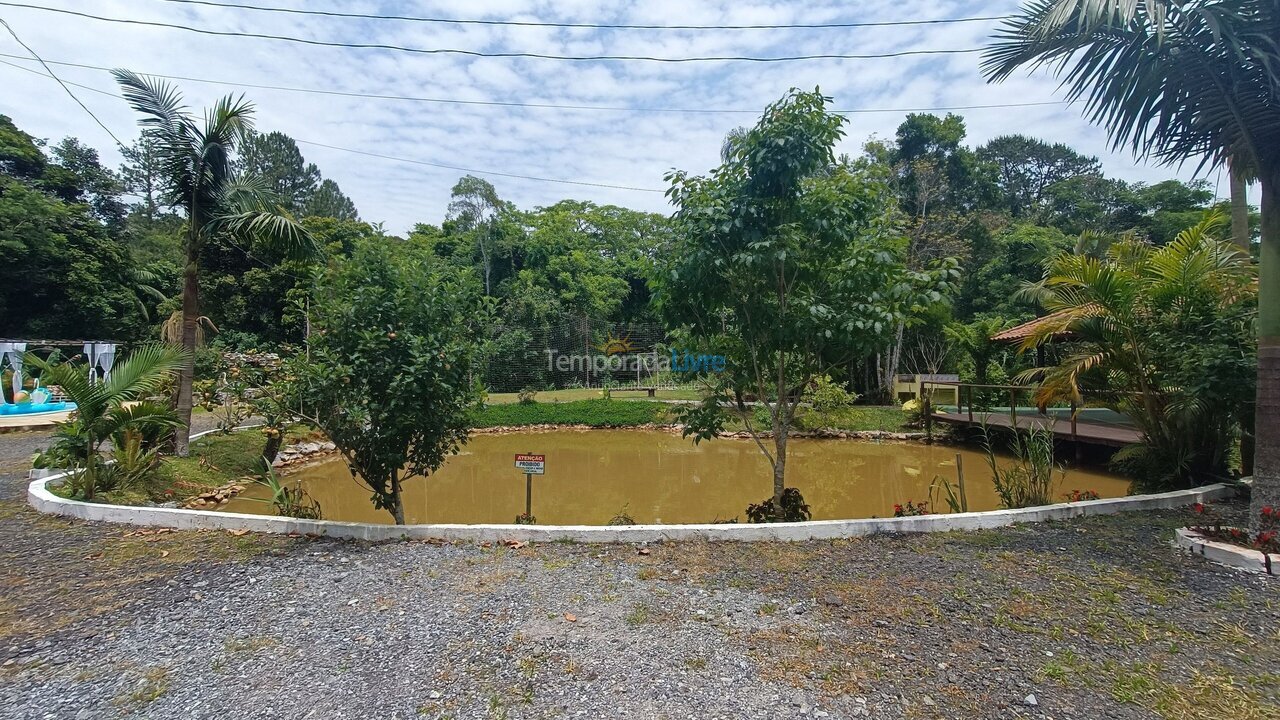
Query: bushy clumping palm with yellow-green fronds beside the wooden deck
{"x": 1135, "y": 317}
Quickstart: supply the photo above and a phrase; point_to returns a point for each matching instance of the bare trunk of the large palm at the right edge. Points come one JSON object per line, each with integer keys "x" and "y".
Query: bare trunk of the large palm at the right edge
{"x": 1267, "y": 461}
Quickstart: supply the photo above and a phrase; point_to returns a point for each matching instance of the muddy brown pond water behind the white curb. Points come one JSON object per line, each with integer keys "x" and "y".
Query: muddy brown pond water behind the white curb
{"x": 661, "y": 479}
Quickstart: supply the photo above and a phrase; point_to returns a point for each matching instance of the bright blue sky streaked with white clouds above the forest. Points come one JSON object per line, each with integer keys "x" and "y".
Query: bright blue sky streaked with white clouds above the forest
{"x": 615, "y": 148}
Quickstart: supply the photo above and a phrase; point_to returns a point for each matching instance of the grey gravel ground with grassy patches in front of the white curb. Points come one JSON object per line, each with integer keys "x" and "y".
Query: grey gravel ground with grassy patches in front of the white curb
{"x": 1087, "y": 619}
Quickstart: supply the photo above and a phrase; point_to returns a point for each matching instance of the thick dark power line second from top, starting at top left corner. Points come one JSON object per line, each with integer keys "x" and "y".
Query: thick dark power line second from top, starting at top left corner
{"x": 481, "y": 54}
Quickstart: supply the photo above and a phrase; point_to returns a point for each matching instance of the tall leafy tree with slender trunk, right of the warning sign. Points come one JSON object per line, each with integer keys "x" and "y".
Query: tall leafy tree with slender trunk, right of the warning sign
{"x": 784, "y": 263}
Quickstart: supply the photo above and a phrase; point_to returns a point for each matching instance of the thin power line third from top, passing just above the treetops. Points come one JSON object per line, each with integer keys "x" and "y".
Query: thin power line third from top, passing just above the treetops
{"x": 547, "y": 106}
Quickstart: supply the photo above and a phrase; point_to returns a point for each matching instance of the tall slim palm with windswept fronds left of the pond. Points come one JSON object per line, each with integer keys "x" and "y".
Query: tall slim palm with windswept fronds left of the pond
{"x": 195, "y": 160}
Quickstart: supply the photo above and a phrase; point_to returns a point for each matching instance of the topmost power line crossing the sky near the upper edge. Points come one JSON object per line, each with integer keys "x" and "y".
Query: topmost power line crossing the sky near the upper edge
{"x": 587, "y": 26}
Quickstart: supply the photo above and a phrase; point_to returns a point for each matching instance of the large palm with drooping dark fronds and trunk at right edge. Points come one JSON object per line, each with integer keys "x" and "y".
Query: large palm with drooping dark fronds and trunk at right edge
{"x": 1176, "y": 80}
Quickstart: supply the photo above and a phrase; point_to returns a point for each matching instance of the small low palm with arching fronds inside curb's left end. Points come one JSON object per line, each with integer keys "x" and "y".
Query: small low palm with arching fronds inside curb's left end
{"x": 111, "y": 409}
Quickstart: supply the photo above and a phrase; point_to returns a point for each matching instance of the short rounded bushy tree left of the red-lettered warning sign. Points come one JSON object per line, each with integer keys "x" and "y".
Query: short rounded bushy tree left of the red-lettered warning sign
{"x": 391, "y": 359}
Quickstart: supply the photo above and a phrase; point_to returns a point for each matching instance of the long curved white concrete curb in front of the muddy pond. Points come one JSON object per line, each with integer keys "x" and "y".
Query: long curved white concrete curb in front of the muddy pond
{"x": 43, "y": 500}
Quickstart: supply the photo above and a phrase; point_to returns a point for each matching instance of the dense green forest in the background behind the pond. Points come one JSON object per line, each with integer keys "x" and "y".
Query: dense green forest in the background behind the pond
{"x": 93, "y": 253}
